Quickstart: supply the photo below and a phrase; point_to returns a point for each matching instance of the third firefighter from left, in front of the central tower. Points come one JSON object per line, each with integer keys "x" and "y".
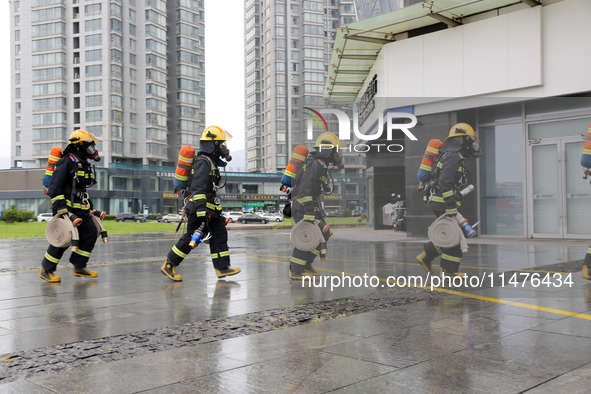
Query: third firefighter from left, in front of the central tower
{"x": 310, "y": 181}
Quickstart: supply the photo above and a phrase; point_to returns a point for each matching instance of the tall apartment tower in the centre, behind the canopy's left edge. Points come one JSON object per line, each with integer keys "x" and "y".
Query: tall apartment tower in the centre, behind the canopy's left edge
{"x": 288, "y": 49}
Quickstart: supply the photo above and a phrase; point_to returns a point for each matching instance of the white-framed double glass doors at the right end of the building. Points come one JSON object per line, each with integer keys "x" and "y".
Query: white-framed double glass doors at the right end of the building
{"x": 559, "y": 198}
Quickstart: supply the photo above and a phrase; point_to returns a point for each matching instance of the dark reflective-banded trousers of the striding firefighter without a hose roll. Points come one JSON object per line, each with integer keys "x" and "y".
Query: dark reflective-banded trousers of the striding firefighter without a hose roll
{"x": 218, "y": 243}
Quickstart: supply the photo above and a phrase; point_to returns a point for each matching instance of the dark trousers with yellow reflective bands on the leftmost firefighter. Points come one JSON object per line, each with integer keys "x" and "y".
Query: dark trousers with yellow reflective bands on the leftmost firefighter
{"x": 79, "y": 258}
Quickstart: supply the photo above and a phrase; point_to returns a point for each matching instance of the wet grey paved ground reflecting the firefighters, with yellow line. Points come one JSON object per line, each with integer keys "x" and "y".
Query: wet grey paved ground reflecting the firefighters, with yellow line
{"x": 512, "y": 338}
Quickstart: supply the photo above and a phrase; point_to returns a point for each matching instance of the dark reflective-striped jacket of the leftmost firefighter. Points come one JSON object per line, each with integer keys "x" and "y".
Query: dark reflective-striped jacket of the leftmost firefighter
{"x": 67, "y": 188}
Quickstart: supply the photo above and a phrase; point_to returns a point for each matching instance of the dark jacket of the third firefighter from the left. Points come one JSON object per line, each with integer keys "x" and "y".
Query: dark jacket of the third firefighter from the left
{"x": 310, "y": 181}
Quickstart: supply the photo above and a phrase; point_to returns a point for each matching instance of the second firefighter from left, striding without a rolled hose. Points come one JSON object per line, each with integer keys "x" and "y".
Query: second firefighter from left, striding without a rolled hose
{"x": 204, "y": 207}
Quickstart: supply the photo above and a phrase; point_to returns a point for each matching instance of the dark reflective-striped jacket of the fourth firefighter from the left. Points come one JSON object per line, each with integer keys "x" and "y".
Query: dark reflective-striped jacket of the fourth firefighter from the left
{"x": 449, "y": 174}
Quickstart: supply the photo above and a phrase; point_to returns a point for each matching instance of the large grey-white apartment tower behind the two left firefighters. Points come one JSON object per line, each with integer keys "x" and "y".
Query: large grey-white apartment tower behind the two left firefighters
{"x": 131, "y": 72}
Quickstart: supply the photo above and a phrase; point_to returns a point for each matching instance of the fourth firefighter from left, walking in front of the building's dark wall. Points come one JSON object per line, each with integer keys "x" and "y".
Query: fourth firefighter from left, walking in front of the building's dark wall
{"x": 449, "y": 176}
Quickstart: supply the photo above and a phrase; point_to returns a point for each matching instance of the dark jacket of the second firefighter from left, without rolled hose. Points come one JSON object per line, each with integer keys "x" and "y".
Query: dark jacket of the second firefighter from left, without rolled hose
{"x": 204, "y": 183}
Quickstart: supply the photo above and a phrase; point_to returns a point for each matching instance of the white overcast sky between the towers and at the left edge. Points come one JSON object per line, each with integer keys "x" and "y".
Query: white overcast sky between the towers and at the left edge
{"x": 224, "y": 72}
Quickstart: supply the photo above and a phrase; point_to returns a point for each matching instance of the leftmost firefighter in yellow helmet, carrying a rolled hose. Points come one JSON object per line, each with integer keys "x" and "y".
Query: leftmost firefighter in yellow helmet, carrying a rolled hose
{"x": 67, "y": 189}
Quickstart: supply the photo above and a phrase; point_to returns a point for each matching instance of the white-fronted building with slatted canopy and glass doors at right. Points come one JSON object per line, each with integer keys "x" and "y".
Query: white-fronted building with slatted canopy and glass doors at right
{"x": 516, "y": 71}
